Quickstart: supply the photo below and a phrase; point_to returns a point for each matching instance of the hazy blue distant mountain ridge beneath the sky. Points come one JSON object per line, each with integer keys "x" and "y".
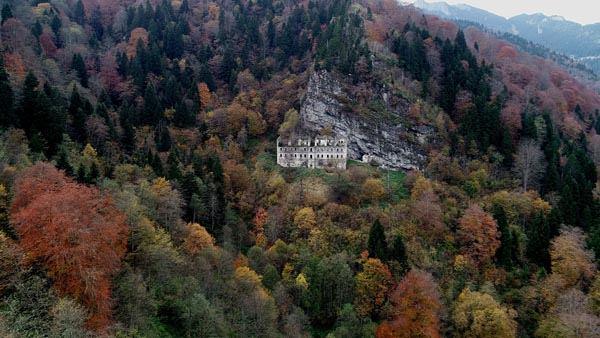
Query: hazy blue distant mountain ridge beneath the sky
{"x": 555, "y": 32}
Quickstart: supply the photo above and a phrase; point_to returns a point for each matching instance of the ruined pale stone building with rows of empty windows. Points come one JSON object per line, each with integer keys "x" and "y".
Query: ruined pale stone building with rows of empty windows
{"x": 318, "y": 152}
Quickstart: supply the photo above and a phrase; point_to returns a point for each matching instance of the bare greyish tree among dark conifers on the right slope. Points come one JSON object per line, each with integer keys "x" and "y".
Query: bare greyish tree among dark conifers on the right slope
{"x": 529, "y": 162}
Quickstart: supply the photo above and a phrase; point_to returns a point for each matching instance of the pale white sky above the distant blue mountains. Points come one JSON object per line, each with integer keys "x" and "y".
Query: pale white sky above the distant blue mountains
{"x": 582, "y": 11}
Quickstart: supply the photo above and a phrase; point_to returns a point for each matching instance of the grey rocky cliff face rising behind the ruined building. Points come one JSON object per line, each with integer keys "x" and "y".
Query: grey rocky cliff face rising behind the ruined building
{"x": 380, "y": 135}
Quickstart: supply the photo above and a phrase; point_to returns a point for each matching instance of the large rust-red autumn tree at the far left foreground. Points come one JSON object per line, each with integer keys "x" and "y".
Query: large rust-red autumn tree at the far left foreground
{"x": 75, "y": 232}
